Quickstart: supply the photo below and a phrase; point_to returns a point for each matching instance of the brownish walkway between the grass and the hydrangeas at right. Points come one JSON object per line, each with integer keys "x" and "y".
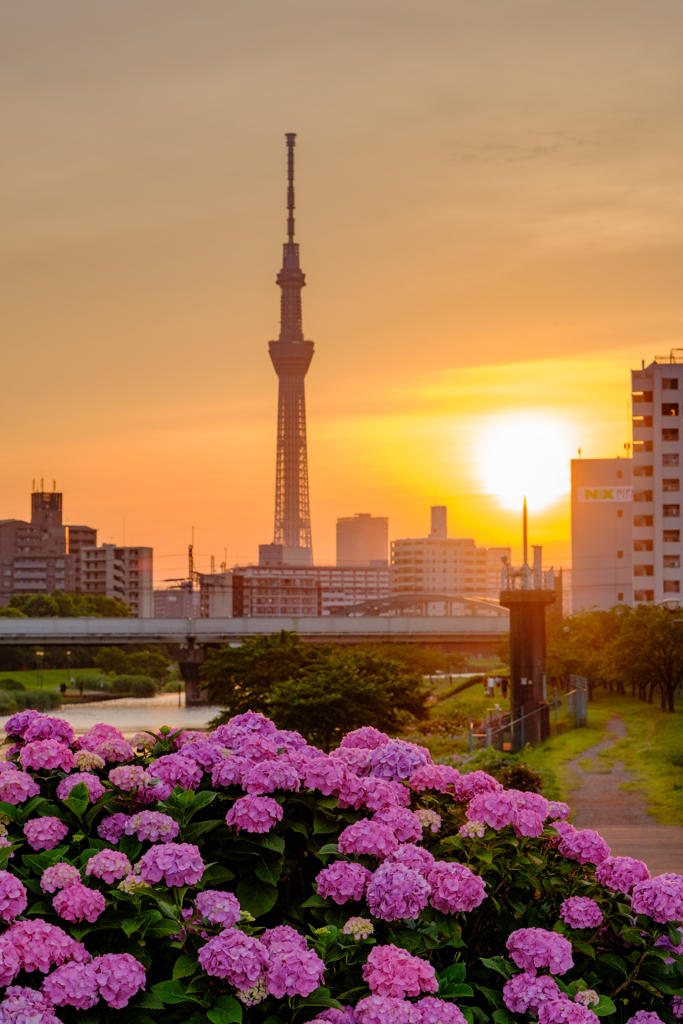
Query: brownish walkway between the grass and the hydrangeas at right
{"x": 620, "y": 816}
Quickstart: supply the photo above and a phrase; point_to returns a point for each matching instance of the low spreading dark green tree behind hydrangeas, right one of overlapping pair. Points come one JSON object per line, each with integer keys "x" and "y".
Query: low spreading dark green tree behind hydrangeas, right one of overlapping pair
{"x": 346, "y": 691}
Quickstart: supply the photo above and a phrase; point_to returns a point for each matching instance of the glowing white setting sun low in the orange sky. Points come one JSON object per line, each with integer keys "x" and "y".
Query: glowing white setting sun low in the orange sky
{"x": 526, "y": 455}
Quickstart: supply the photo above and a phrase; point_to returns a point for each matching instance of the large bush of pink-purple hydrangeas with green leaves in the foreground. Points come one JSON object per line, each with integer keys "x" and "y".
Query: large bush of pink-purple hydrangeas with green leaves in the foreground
{"x": 243, "y": 875}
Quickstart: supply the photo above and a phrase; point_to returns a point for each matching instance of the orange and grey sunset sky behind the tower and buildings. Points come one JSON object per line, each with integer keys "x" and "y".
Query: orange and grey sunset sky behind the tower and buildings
{"x": 491, "y": 223}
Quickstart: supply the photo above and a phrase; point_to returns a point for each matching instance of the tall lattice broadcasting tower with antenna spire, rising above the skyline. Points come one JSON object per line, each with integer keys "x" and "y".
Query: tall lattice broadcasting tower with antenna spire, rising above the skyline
{"x": 291, "y": 358}
